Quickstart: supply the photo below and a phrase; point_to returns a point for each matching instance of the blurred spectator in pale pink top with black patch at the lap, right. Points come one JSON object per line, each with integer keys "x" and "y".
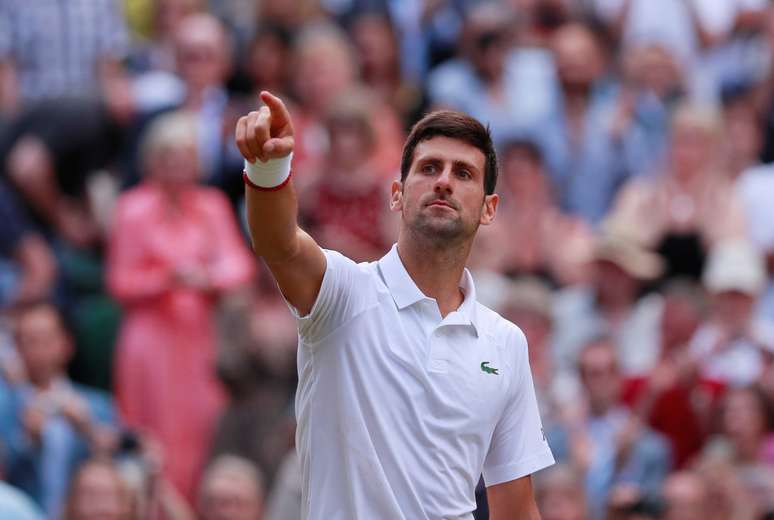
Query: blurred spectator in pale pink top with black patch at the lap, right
{"x": 691, "y": 205}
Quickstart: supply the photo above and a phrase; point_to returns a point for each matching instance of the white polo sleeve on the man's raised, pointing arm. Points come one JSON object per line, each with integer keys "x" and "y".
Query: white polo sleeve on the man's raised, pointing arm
{"x": 344, "y": 293}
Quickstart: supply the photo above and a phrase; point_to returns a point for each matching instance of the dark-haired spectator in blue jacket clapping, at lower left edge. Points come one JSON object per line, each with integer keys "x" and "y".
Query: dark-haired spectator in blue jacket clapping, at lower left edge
{"x": 51, "y": 423}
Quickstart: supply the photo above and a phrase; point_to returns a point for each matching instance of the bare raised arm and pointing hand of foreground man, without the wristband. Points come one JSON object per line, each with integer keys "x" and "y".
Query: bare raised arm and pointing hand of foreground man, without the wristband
{"x": 293, "y": 257}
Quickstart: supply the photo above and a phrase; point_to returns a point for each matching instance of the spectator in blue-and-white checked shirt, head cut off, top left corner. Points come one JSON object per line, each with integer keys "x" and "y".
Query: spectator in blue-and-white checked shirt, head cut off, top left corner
{"x": 57, "y": 51}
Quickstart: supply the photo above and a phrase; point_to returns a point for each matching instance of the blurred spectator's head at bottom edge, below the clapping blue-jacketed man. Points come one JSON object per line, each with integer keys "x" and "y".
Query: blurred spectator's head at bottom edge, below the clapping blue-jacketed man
{"x": 98, "y": 492}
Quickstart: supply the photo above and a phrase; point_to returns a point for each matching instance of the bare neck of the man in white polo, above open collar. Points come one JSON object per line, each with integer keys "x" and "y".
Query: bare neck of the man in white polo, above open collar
{"x": 436, "y": 270}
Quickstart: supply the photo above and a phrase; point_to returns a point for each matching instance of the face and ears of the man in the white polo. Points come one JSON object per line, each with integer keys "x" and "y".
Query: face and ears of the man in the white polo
{"x": 443, "y": 197}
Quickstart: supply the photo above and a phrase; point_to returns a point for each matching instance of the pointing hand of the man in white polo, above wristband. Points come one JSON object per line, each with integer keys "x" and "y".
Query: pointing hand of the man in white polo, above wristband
{"x": 267, "y": 133}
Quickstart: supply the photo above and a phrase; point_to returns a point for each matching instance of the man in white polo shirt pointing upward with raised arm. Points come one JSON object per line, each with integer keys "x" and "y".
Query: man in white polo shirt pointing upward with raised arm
{"x": 408, "y": 387}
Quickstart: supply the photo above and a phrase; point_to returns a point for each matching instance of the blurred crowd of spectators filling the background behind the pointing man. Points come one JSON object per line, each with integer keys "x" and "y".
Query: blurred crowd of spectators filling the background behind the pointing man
{"x": 147, "y": 360}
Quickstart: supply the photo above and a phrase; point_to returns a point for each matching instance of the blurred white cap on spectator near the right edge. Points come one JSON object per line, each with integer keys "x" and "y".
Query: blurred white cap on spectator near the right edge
{"x": 735, "y": 265}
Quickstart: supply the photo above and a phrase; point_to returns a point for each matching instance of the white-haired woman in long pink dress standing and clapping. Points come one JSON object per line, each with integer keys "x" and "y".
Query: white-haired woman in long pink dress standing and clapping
{"x": 175, "y": 250}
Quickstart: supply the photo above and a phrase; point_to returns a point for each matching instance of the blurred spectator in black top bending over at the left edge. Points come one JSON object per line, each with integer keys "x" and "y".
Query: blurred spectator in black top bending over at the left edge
{"x": 51, "y": 154}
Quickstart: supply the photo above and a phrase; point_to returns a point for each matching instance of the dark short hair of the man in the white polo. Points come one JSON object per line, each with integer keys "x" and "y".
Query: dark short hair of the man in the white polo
{"x": 454, "y": 125}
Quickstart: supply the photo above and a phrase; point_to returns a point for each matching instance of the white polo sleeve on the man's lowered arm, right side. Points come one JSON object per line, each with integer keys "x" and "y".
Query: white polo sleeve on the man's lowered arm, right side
{"x": 519, "y": 446}
